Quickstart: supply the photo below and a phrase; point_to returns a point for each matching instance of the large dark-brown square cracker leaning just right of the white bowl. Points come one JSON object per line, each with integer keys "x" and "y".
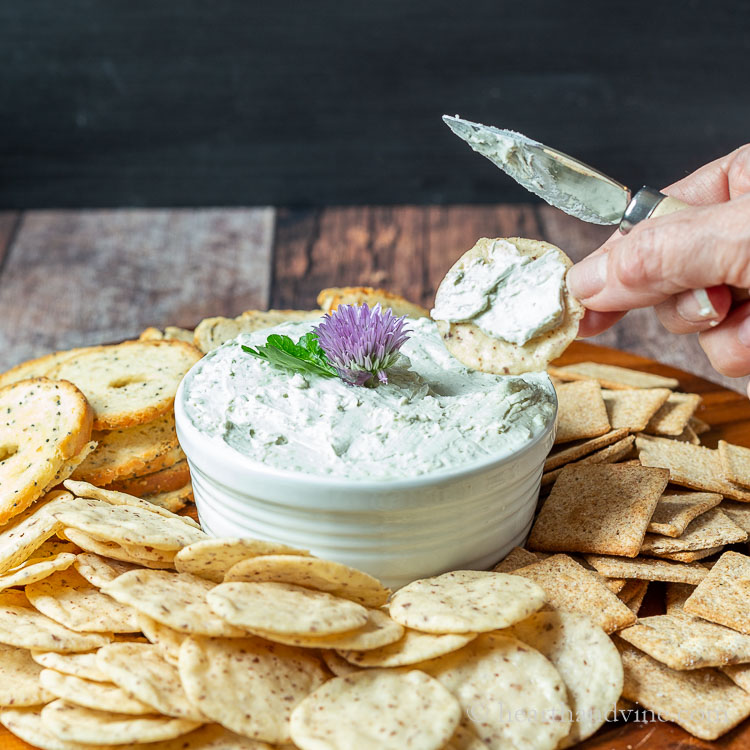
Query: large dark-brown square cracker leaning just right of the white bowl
{"x": 599, "y": 508}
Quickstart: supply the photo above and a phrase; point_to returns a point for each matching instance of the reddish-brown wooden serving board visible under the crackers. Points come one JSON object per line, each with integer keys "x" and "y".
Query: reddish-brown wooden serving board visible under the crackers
{"x": 728, "y": 413}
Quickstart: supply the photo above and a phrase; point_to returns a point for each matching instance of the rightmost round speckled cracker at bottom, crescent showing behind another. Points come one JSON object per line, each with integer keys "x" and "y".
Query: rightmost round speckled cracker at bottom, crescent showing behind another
{"x": 587, "y": 660}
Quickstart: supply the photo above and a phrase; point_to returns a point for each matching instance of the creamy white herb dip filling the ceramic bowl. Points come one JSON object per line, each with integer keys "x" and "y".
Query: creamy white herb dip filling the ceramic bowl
{"x": 434, "y": 414}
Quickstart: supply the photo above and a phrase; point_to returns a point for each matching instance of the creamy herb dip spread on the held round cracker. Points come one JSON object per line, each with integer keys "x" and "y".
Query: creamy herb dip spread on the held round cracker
{"x": 507, "y": 295}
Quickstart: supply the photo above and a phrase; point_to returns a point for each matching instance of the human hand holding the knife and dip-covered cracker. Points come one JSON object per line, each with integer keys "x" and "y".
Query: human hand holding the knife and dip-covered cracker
{"x": 683, "y": 264}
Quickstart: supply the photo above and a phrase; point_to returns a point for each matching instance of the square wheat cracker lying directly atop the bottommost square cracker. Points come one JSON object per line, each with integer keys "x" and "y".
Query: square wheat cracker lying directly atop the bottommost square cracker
{"x": 683, "y": 642}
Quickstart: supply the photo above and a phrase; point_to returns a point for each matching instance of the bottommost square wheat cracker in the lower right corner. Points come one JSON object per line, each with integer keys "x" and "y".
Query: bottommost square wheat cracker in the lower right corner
{"x": 702, "y": 701}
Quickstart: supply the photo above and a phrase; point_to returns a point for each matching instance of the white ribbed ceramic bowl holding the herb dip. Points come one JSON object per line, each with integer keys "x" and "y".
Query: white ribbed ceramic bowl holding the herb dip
{"x": 395, "y": 530}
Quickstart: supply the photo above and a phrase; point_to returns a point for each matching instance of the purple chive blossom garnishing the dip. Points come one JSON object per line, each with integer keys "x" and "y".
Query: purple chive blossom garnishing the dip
{"x": 362, "y": 343}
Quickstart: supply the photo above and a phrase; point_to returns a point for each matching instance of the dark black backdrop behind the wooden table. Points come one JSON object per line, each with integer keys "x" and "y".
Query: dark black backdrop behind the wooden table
{"x": 315, "y": 102}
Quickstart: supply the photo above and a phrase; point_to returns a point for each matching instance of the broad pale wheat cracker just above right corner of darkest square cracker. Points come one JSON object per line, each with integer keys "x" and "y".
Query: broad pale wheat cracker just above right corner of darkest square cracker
{"x": 689, "y": 465}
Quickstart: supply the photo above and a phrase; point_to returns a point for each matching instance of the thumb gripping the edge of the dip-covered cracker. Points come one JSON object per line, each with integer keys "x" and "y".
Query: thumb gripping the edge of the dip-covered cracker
{"x": 692, "y": 249}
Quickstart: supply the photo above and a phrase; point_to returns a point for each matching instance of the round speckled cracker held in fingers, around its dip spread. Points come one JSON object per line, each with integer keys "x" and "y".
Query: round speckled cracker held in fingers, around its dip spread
{"x": 472, "y": 346}
